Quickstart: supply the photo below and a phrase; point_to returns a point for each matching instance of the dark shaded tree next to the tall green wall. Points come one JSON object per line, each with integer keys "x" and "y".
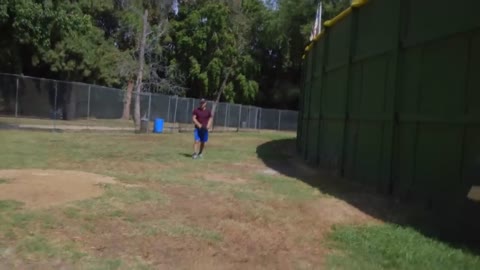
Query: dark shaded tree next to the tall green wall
{"x": 279, "y": 36}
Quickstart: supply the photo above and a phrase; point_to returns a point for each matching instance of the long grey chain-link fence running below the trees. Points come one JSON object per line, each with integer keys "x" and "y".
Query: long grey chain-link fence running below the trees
{"x": 27, "y": 102}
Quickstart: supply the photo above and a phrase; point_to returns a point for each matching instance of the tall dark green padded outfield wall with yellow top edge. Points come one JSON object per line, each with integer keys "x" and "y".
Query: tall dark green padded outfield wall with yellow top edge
{"x": 391, "y": 97}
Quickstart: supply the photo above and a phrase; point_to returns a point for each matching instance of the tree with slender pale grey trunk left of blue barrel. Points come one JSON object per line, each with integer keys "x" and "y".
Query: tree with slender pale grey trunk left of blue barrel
{"x": 139, "y": 27}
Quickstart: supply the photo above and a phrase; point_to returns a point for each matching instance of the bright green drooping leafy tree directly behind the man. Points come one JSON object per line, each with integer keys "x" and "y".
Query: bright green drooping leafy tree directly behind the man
{"x": 210, "y": 48}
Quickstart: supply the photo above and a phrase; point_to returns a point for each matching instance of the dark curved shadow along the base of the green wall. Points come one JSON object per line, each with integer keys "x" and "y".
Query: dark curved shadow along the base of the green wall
{"x": 459, "y": 228}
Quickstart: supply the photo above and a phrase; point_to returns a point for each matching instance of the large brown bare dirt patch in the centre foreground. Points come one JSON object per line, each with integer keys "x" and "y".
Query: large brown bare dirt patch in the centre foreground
{"x": 265, "y": 240}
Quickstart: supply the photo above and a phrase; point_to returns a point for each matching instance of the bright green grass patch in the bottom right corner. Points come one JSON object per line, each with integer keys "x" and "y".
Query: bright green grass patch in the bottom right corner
{"x": 394, "y": 247}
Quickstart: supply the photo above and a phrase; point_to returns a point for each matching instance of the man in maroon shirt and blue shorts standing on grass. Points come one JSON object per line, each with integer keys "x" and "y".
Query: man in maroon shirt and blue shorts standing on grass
{"x": 202, "y": 118}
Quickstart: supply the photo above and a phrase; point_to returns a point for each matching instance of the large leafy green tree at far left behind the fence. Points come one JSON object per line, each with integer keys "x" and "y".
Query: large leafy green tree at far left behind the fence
{"x": 55, "y": 39}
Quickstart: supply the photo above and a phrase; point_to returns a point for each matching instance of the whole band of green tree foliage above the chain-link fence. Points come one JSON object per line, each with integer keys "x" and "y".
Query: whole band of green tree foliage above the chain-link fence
{"x": 250, "y": 49}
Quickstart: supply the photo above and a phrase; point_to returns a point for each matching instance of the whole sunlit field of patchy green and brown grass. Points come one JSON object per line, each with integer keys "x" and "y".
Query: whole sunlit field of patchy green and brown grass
{"x": 167, "y": 211}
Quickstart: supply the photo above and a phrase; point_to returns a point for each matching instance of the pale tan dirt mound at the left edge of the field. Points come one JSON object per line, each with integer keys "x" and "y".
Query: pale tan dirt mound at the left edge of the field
{"x": 44, "y": 188}
